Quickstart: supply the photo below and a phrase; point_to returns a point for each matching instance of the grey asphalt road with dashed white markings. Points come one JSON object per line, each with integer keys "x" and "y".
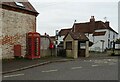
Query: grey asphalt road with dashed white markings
{"x": 80, "y": 69}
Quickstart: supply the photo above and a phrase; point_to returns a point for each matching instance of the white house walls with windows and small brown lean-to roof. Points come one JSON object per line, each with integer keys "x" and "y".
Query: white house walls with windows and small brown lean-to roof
{"x": 103, "y": 39}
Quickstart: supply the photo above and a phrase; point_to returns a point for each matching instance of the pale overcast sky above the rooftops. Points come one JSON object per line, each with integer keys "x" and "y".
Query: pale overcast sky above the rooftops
{"x": 57, "y": 14}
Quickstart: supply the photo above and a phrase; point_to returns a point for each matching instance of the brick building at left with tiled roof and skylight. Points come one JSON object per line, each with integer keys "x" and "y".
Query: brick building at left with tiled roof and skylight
{"x": 18, "y": 18}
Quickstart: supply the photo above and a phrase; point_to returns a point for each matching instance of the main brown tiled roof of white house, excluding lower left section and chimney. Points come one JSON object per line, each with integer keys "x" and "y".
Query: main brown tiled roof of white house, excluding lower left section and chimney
{"x": 86, "y": 28}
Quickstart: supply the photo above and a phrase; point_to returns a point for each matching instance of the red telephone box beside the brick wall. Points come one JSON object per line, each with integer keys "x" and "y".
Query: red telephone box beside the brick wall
{"x": 33, "y": 45}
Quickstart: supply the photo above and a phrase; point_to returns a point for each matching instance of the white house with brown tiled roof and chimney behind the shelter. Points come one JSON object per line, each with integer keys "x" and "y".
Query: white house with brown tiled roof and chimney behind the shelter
{"x": 99, "y": 32}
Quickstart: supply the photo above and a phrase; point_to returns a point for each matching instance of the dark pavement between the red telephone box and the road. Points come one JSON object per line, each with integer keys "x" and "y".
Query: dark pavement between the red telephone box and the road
{"x": 13, "y": 65}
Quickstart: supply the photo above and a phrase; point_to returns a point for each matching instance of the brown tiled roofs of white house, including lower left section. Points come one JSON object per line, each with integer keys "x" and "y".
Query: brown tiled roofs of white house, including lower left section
{"x": 87, "y": 27}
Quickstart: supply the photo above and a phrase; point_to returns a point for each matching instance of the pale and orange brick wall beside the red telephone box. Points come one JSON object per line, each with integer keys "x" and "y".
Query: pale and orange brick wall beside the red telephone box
{"x": 15, "y": 25}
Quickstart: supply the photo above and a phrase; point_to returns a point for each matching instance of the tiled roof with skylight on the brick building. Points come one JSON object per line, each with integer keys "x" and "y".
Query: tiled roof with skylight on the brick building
{"x": 27, "y": 6}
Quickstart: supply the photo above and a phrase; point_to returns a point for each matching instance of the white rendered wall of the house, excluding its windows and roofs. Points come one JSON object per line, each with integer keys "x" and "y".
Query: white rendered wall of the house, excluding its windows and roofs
{"x": 97, "y": 40}
